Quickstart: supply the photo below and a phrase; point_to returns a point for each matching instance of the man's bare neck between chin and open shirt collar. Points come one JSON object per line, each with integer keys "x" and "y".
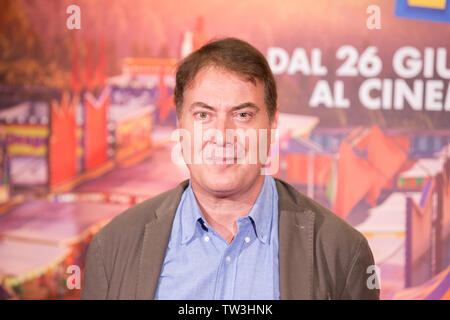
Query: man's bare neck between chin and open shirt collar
{"x": 221, "y": 213}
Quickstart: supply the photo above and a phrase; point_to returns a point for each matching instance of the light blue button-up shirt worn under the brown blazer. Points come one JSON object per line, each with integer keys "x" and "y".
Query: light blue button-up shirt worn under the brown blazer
{"x": 200, "y": 264}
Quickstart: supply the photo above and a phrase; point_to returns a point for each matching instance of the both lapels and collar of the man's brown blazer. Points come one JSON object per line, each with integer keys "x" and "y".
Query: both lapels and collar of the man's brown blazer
{"x": 295, "y": 240}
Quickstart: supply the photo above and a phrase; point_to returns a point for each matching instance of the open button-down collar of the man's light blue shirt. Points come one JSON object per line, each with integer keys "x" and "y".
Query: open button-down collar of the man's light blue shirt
{"x": 261, "y": 214}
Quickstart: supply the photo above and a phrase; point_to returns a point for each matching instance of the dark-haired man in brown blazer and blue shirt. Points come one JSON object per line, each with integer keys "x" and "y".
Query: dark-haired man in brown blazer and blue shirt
{"x": 230, "y": 232}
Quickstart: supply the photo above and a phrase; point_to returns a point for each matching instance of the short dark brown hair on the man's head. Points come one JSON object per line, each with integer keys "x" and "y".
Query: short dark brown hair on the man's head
{"x": 233, "y": 55}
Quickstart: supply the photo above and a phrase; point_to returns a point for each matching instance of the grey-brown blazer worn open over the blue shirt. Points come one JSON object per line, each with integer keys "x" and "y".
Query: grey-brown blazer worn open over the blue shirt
{"x": 320, "y": 255}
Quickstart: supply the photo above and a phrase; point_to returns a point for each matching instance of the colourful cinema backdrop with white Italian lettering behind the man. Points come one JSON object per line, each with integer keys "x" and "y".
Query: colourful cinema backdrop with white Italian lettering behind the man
{"x": 86, "y": 115}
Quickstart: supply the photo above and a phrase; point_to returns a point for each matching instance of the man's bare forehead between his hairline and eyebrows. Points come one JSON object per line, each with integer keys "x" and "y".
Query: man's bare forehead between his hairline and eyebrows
{"x": 221, "y": 88}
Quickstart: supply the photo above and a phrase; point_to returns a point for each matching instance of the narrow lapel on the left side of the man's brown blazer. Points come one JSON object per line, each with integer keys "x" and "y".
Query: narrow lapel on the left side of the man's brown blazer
{"x": 155, "y": 241}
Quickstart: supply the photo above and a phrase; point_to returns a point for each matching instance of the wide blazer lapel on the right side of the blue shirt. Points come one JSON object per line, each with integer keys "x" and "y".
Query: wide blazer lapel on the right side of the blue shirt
{"x": 295, "y": 240}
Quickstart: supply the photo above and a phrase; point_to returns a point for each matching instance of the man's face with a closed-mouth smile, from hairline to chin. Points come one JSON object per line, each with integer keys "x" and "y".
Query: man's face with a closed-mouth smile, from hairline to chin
{"x": 234, "y": 139}
